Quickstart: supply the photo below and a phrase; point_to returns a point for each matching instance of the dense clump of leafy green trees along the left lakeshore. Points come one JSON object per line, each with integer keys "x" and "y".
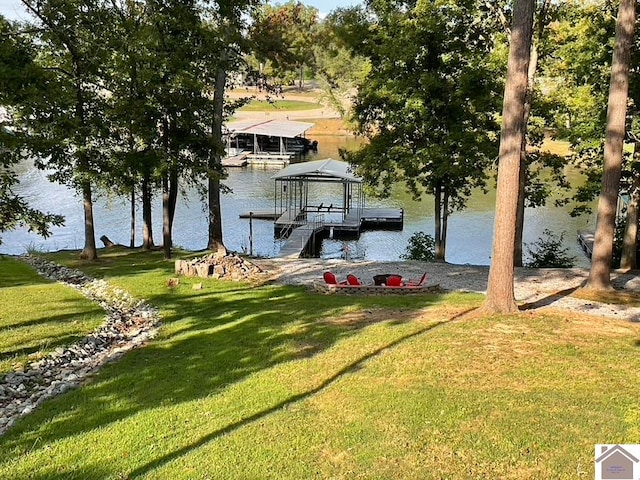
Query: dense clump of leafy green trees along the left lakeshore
{"x": 118, "y": 94}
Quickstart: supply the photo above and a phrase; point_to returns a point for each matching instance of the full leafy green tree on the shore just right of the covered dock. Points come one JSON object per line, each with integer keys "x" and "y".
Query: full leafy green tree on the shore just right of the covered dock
{"x": 427, "y": 105}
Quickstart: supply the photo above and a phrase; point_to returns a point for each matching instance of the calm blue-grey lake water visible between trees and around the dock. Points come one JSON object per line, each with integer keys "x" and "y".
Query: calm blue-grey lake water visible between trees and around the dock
{"x": 469, "y": 235}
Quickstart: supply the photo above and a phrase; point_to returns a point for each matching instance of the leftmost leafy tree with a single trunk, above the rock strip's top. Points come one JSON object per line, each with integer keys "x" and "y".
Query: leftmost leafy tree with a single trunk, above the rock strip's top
{"x": 64, "y": 119}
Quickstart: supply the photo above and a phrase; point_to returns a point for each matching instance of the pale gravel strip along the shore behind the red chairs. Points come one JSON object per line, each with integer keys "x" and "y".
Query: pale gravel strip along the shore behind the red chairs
{"x": 534, "y": 287}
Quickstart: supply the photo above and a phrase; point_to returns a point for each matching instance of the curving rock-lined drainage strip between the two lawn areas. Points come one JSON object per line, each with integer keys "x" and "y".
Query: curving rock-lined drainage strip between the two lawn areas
{"x": 128, "y": 324}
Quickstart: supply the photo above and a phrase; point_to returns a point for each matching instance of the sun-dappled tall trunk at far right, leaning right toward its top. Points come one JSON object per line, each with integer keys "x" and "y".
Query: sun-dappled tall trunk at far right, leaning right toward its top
{"x": 599, "y": 274}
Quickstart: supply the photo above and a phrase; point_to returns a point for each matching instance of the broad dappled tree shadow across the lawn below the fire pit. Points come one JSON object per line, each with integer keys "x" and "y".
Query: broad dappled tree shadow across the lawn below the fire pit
{"x": 210, "y": 340}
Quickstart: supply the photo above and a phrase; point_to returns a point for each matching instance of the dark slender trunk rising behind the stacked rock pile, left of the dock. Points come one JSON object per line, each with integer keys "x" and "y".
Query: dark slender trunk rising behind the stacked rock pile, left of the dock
{"x": 215, "y": 242}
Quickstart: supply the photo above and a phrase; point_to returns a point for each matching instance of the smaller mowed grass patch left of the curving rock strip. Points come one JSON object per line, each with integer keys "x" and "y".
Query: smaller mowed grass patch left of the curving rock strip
{"x": 37, "y": 316}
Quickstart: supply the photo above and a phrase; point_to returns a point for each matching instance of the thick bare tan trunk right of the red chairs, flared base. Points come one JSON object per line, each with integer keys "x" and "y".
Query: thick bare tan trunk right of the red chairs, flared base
{"x": 500, "y": 295}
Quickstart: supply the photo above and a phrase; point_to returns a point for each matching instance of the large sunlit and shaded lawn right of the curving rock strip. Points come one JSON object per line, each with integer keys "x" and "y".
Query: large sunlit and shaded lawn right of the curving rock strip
{"x": 275, "y": 382}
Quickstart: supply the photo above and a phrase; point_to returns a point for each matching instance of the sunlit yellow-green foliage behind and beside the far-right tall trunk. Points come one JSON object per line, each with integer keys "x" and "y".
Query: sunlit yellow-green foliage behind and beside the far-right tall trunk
{"x": 575, "y": 81}
